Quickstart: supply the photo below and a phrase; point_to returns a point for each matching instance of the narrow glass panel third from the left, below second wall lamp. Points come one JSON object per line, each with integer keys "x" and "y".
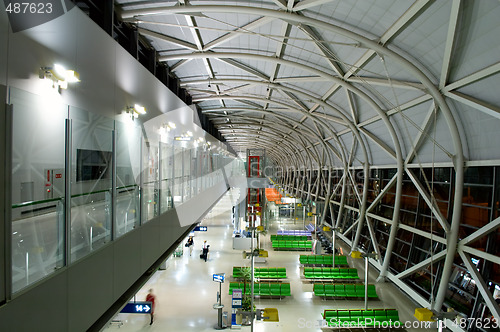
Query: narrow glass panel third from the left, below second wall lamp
{"x": 128, "y": 168}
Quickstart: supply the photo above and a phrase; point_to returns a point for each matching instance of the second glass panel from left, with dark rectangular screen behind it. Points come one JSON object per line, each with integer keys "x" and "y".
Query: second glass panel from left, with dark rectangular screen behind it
{"x": 91, "y": 181}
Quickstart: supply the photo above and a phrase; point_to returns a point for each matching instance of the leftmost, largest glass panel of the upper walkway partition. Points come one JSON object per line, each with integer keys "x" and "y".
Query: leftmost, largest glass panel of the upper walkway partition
{"x": 38, "y": 186}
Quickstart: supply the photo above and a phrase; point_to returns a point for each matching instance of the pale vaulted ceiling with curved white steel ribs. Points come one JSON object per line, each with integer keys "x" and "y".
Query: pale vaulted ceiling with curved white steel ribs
{"x": 337, "y": 82}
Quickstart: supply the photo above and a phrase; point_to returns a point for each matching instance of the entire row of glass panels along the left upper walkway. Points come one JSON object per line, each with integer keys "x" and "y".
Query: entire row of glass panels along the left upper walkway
{"x": 112, "y": 172}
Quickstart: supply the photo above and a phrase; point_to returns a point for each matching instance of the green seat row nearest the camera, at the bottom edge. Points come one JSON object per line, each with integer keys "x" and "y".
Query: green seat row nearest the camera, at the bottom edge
{"x": 362, "y": 318}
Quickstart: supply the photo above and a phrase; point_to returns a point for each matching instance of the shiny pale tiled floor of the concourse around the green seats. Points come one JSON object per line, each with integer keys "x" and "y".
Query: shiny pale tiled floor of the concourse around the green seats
{"x": 186, "y": 293}
